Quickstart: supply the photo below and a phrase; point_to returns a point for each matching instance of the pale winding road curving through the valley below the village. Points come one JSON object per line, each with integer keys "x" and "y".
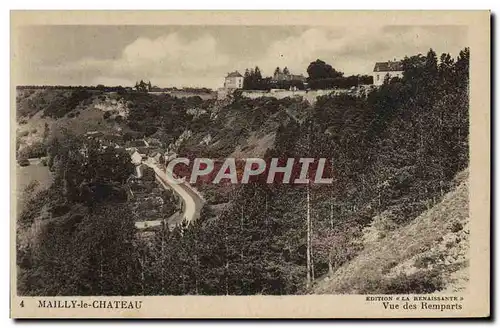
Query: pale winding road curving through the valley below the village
{"x": 193, "y": 202}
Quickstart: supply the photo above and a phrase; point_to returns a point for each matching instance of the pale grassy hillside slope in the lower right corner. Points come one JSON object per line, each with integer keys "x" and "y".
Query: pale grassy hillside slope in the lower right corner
{"x": 427, "y": 255}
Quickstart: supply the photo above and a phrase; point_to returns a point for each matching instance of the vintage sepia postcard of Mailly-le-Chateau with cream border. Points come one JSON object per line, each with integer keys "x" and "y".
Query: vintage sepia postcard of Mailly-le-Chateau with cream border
{"x": 270, "y": 164}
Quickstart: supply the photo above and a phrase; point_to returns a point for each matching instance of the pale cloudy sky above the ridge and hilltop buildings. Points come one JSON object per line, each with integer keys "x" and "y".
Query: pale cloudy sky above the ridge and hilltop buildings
{"x": 202, "y": 55}
